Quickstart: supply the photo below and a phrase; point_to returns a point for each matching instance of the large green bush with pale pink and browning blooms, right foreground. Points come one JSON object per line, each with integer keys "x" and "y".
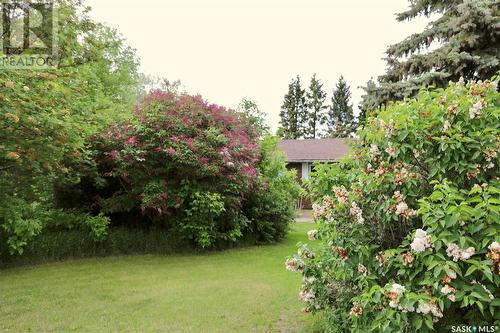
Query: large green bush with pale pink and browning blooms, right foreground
{"x": 409, "y": 223}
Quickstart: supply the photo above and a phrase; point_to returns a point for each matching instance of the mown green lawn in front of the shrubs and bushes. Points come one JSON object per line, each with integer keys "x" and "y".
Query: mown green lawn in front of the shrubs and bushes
{"x": 242, "y": 290}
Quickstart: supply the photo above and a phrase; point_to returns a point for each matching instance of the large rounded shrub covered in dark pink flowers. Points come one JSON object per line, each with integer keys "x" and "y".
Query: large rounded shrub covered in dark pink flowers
{"x": 181, "y": 164}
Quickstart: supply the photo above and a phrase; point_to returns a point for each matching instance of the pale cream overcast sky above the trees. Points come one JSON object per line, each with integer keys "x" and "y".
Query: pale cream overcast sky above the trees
{"x": 229, "y": 49}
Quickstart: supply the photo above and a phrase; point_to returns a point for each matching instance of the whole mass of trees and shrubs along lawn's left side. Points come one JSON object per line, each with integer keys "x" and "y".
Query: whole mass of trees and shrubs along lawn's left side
{"x": 178, "y": 164}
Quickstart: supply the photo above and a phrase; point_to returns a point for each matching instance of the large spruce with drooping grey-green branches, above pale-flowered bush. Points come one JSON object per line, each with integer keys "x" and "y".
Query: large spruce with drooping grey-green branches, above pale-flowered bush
{"x": 468, "y": 46}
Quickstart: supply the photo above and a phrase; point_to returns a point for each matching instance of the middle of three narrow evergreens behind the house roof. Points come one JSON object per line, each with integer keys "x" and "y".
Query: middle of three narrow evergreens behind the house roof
{"x": 316, "y": 107}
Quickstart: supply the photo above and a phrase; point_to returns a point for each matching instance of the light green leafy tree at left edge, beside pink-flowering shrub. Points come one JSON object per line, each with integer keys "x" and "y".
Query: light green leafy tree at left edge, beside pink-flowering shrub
{"x": 46, "y": 117}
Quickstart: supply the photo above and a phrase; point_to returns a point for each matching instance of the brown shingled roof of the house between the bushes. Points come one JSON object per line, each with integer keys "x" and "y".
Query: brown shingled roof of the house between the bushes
{"x": 310, "y": 150}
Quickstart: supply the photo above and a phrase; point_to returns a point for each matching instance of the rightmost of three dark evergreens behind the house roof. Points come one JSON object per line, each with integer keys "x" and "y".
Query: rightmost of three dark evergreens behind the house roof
{"x": 340, "y": 121}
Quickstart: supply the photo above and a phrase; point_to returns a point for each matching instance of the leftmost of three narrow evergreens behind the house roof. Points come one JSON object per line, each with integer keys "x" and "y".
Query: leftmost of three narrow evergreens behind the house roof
{"x": 293, "y": 112}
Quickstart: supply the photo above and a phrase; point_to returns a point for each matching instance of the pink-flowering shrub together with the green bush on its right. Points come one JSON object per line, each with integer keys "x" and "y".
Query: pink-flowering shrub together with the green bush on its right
{"x": 190, "y": 167}
